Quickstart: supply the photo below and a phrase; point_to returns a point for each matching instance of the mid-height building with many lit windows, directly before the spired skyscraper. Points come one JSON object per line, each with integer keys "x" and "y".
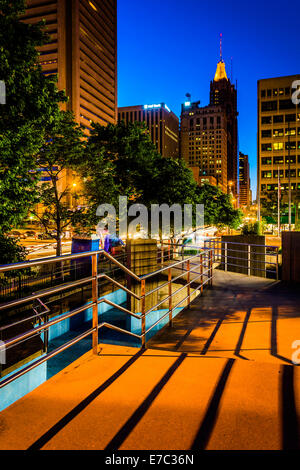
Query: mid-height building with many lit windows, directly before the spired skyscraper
{"x": 204, "y": 142}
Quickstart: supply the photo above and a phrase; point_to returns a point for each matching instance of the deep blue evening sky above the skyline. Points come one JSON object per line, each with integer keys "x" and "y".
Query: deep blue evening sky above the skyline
{"x": 167, "y": 48}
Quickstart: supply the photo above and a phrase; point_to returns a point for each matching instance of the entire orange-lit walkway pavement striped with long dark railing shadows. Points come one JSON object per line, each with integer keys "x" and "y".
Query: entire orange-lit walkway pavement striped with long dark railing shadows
{"x": 217, "y": 380}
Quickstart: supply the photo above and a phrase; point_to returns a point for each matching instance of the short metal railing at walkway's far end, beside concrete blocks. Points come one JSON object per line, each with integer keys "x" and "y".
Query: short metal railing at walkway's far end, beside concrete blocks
{"x": 245, "y": 258}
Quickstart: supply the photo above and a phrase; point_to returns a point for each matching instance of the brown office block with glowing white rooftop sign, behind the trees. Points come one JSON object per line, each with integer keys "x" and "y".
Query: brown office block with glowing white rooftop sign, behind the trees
{"x": 162, "y": 124}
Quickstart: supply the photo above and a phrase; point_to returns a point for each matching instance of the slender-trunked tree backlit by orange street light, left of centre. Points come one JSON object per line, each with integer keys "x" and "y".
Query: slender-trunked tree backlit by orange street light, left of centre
{"x": 61, "y": 153}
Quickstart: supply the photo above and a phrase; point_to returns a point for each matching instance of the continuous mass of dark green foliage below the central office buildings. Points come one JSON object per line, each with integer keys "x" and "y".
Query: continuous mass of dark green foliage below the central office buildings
{"x": 122, "y": 160}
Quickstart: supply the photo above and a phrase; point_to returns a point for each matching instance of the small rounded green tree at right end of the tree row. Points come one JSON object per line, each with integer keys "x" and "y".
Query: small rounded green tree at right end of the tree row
{"x": 218, "y": 208}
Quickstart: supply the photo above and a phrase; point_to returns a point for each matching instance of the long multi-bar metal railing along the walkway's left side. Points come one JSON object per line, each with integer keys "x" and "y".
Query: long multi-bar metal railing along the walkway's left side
{"x": 198, "y": 267}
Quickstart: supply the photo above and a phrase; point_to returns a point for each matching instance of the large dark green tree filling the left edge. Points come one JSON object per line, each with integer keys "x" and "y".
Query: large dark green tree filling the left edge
{"x": 31, "y": 104}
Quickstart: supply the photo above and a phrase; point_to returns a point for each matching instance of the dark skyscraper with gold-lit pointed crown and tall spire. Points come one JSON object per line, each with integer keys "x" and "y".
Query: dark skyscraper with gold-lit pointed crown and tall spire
{"x": 223, "y": 93}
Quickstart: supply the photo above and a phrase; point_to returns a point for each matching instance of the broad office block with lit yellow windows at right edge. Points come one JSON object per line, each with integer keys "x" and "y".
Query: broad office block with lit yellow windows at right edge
{"x": 278, "y": 141}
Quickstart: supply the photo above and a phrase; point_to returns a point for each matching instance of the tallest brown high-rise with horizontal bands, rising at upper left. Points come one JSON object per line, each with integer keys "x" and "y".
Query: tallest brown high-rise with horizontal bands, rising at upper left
{"x": 83, "y": 52}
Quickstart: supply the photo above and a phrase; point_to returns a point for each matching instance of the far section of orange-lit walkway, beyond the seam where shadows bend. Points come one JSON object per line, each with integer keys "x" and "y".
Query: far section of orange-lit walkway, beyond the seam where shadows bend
{"x": 247, "y": 317}
